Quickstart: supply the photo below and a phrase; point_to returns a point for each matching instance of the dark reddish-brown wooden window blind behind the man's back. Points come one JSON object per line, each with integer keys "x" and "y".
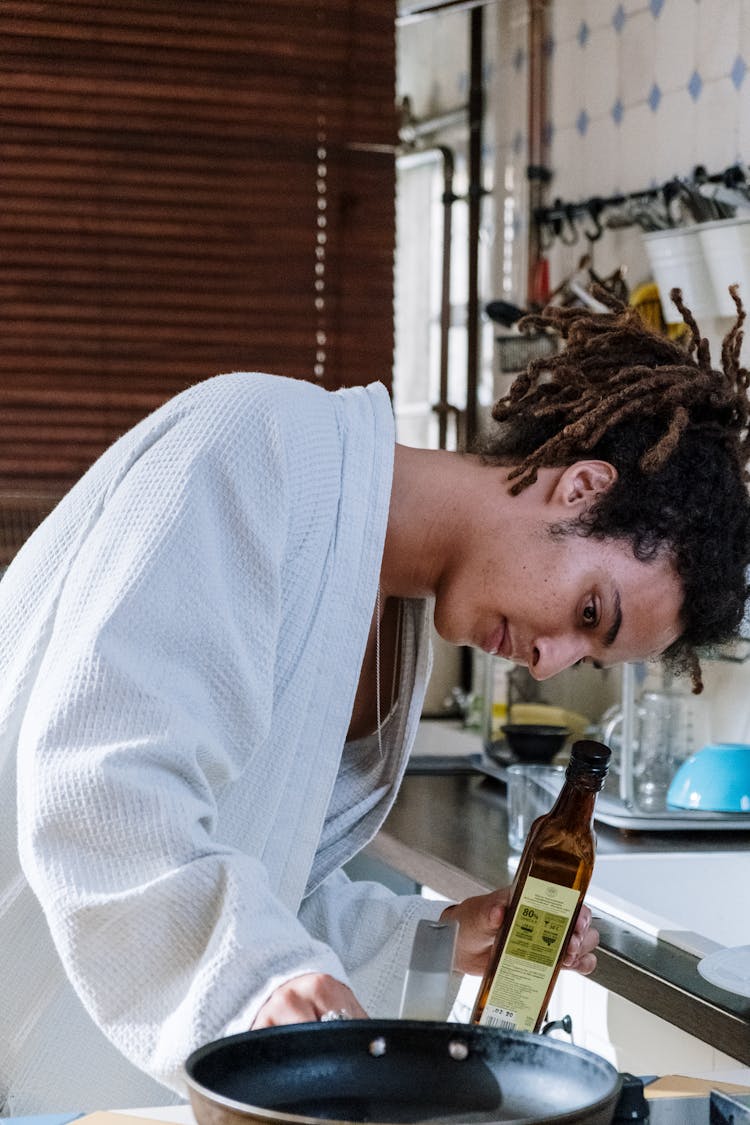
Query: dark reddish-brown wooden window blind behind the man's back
{"x": 186, "y": 188}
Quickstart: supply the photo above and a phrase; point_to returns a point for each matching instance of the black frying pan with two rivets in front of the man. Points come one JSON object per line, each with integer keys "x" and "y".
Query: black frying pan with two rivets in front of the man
{"x": 396, "y": 1072}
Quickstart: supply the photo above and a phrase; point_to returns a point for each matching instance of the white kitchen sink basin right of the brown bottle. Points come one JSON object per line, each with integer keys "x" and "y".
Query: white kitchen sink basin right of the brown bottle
{"x": 695, "y": 901}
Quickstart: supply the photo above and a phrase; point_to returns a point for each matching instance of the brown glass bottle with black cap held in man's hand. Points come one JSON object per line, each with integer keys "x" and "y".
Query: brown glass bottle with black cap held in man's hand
{"x": 554, "y": 875}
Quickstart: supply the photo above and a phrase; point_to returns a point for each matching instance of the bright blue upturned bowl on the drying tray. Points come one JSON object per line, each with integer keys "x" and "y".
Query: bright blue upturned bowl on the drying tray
{"x": 715, "y": 780}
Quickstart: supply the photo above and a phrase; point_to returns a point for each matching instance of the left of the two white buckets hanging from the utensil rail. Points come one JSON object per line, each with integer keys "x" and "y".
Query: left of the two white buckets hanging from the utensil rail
{"x": 679, "y": 263}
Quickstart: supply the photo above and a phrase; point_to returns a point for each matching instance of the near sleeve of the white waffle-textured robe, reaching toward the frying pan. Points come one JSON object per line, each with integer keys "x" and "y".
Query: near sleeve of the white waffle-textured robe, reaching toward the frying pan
{"x": 170, "y": 938}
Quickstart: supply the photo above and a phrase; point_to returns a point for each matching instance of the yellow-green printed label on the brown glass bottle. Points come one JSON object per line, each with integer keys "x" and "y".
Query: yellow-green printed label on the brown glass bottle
{"x": 528, "y": 962}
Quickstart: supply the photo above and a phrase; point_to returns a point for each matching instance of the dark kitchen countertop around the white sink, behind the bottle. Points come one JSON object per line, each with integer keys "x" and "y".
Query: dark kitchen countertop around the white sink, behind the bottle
{"x": 449, "y": 832}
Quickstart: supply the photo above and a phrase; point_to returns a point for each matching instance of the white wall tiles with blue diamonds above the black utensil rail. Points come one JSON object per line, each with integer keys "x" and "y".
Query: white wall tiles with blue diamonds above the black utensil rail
{"x": 644, "y": 91}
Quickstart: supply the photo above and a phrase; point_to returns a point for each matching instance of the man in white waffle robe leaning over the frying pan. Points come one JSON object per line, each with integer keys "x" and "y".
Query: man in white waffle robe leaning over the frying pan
{"x": 214, "y": 658}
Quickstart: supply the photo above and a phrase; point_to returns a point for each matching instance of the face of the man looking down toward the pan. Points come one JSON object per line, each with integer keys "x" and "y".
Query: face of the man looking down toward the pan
{"x": 549, "y": 601}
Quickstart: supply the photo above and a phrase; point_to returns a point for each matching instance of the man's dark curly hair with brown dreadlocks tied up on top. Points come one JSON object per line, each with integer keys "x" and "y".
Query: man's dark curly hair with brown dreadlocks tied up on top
{"x": 675, "y": 430}
